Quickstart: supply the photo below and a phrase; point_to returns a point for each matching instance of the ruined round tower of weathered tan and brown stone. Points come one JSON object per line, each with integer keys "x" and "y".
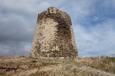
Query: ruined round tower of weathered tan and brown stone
{"x": 54, "y": 35}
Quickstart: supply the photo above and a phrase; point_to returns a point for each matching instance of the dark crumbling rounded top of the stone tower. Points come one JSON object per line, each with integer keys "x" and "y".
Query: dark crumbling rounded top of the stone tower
{"x": 56, "y": 14}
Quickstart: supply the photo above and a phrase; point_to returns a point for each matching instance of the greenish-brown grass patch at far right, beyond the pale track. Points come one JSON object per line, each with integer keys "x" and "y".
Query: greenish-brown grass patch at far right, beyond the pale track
{"x": 103, "y": 63}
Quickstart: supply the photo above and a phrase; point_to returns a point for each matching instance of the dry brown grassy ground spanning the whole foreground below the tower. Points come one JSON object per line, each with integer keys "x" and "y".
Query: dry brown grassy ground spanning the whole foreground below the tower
{"x": 28, "y": 66}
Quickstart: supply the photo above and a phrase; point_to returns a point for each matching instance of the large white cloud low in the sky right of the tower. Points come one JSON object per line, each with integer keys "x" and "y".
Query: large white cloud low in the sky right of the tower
{"x": 97, "y": 40}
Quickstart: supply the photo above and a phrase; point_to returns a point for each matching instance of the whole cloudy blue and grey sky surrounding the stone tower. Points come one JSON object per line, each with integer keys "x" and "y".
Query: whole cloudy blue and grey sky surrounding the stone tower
{"x": 93, "y": 23}
